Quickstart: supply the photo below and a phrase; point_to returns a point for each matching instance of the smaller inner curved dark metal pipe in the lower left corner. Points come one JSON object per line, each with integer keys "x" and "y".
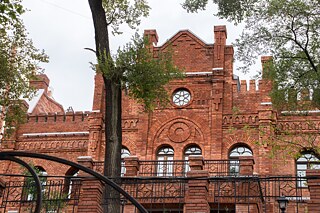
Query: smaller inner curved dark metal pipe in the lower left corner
{"x": 33, "y": 174}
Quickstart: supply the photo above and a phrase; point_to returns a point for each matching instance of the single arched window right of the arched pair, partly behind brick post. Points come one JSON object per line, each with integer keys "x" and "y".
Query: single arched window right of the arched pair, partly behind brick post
{"x": 234, "y": 155}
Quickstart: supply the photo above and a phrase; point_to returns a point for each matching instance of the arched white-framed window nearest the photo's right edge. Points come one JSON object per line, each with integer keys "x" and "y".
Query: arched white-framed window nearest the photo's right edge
{"x": 307, "y": 161}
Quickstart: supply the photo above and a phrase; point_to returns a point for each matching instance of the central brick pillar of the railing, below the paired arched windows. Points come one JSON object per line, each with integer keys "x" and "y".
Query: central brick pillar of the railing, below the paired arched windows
{"x": 197, "y": 193}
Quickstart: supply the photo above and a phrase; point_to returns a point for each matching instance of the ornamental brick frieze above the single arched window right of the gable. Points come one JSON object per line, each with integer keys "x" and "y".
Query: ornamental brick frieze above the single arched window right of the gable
{"x": 250, "y": 119}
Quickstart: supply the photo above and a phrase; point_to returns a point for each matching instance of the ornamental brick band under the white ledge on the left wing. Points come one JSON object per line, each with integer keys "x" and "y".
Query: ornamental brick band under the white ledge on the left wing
{"x": 47, "y": 146}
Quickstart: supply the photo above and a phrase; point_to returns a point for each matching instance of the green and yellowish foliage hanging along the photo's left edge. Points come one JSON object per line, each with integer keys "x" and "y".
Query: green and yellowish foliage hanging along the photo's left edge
{"x": 19, "y": 62}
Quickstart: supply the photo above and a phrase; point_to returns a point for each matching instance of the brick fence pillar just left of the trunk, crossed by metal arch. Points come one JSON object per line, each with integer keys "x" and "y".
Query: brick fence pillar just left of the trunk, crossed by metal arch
{"x": 91, "y": 190}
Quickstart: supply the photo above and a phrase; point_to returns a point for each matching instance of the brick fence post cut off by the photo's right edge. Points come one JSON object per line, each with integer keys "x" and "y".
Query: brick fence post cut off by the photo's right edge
{"x": 314, "y": 189}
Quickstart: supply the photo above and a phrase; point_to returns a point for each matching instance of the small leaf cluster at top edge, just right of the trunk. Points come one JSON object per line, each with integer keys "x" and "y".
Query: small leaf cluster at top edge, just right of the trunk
{"x": 125, "y": 11}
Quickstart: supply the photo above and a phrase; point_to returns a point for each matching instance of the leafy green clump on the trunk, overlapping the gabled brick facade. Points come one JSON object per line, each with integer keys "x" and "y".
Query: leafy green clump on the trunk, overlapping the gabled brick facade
{"x": 143, "y": 76}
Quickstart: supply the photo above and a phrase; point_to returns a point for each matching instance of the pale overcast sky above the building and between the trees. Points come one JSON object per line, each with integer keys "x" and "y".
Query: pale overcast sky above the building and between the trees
{"x": 64, "y": 28}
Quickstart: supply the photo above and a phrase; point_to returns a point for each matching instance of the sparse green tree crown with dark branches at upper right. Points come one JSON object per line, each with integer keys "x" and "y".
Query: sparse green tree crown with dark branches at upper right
{"x": 290, "y": 32}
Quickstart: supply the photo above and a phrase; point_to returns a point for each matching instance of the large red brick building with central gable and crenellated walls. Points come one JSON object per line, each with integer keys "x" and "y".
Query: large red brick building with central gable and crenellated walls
{"x": 209, "y": 146}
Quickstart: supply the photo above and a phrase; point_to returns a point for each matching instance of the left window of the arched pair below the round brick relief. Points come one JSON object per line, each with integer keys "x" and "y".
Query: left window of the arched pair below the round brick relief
{"x": 165, "y": 161}
